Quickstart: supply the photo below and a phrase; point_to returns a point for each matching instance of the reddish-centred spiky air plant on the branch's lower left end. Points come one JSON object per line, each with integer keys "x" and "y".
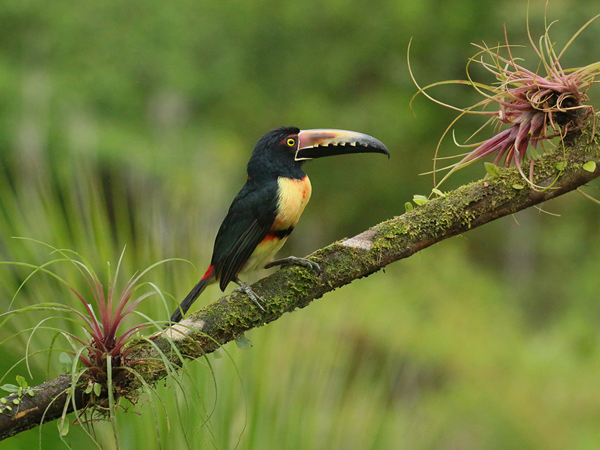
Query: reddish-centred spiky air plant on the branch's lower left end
{"x": 100, "y": 362}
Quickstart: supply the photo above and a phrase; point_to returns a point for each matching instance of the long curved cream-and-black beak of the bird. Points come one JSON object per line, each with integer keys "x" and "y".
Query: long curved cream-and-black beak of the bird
{"x": 319, "y": 143}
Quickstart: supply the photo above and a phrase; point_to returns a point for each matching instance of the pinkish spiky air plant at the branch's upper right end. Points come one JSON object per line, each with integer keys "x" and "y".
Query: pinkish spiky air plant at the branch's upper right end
{"x": 530, "y": 108}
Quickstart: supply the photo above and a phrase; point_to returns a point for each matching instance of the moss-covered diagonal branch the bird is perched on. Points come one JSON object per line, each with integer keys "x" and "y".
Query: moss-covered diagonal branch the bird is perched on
{"x": 342, "y": 262}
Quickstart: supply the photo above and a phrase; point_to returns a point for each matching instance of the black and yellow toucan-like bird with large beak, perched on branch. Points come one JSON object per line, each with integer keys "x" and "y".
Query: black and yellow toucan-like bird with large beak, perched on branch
{"x": 268, "y": 207}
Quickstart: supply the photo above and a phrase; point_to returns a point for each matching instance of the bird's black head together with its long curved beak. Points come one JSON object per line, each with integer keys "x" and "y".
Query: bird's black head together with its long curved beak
{"x": 281, "y": 152}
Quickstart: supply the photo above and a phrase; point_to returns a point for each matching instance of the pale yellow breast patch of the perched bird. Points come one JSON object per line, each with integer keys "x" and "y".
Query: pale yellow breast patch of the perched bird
{"x": 293, "y": 197}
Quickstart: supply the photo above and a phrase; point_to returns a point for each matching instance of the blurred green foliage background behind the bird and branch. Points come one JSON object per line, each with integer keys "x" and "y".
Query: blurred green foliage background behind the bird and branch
{"x": 130, "y": 123}
